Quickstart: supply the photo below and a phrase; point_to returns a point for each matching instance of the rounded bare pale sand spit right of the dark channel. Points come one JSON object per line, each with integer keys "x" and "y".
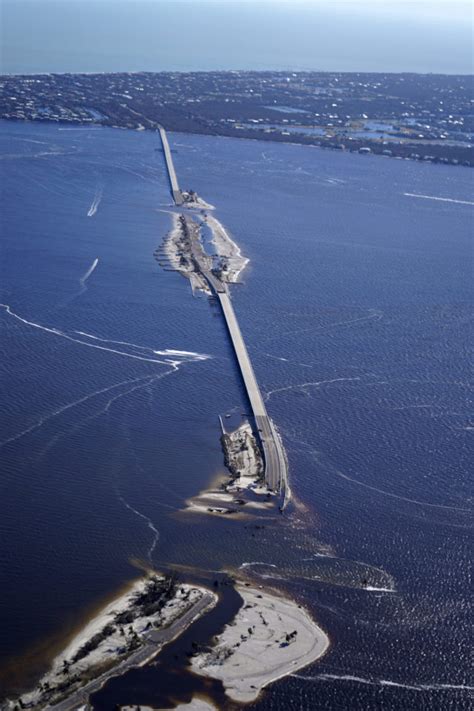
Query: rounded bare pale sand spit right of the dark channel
{"x": 270, "y": 637}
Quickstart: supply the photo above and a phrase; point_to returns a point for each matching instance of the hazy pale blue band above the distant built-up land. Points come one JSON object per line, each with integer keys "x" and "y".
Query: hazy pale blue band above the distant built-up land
{"x": 134, "y": 35}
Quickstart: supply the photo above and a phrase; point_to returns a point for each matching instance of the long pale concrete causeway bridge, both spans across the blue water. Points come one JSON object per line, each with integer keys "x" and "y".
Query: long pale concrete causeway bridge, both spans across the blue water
{"x": 276, "y": 466}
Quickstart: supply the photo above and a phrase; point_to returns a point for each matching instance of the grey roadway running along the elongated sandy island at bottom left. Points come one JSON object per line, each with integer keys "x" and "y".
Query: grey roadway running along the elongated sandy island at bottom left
{"x": 156, "y": 639}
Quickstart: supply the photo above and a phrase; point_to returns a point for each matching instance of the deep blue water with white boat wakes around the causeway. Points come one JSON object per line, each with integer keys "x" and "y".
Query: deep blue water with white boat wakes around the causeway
{"x": 356, "y": 309}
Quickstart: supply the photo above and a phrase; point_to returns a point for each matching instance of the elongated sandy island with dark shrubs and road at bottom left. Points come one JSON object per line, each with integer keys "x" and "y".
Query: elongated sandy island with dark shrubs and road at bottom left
{"x": 128, "y": 632}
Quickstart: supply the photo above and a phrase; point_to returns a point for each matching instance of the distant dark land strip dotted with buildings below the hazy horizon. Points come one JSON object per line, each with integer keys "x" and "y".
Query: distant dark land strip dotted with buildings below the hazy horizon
{"x": 424, "y": 117}
